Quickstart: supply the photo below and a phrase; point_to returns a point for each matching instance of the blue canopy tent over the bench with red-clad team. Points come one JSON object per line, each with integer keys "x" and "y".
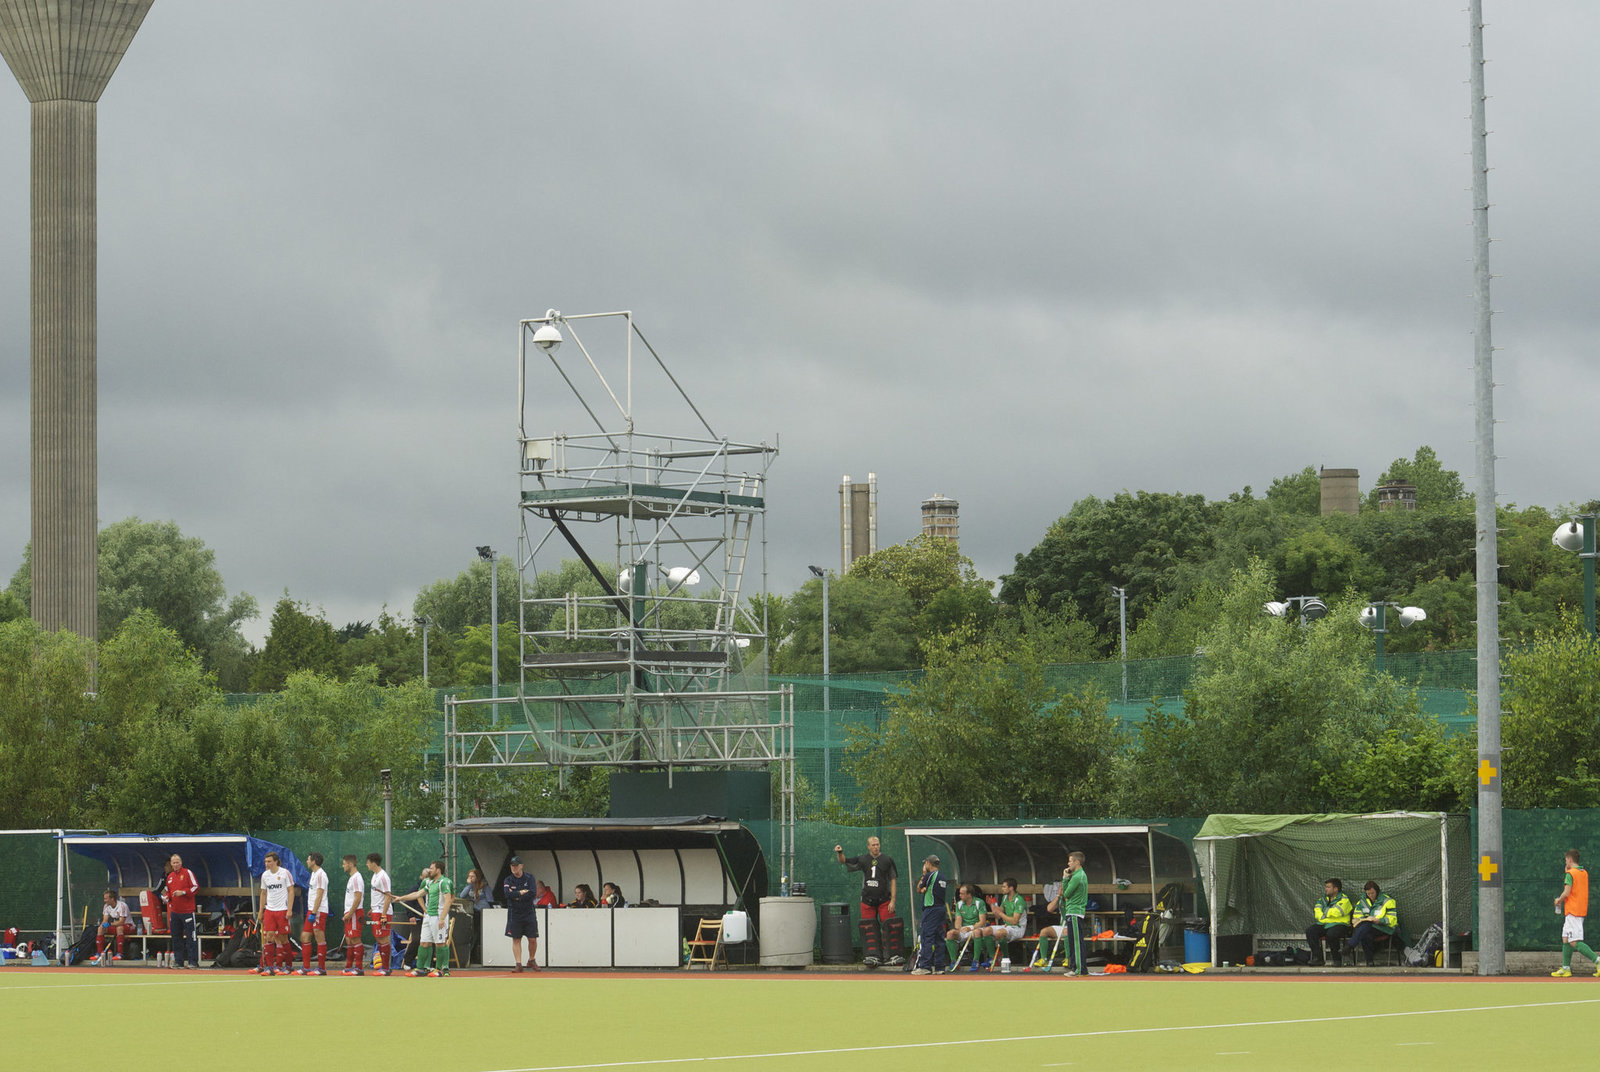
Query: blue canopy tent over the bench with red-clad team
{"x": 225, "y": 865}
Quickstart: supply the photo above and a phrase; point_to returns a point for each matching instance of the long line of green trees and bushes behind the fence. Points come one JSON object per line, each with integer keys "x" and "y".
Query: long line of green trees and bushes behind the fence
{"x": 1196, "y": 572}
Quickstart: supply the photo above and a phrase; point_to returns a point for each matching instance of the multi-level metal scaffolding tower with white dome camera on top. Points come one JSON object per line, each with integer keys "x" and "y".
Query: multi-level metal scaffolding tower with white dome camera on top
{"x": 641, "y": 658}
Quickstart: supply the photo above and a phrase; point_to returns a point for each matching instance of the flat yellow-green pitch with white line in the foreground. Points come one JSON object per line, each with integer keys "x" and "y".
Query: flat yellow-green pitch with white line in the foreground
{"x": 879, "y": 1023}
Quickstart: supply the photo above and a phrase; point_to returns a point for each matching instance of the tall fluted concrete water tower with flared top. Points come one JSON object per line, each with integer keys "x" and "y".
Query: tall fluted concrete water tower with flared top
{"x": 63, "y": 54}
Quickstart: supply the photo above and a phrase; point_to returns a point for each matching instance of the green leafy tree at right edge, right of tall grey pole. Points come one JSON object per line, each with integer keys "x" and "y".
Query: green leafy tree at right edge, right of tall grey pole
{"x": 1551, "y": 729}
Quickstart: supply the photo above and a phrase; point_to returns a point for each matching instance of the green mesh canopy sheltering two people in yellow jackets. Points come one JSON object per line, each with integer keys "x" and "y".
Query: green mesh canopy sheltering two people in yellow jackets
{"x": 1263, "y": 873}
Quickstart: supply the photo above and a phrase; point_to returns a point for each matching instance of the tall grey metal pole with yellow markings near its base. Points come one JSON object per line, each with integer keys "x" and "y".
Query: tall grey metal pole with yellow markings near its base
{"x": 1492, "y": 860}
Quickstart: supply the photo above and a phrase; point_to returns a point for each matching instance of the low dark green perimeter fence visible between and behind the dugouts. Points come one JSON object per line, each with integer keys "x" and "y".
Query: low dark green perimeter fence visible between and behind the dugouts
{"x": 1534, "y": 841}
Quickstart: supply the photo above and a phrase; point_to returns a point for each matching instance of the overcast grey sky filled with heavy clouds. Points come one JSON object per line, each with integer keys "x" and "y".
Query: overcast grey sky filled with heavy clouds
{"x": 1014, "y": 254}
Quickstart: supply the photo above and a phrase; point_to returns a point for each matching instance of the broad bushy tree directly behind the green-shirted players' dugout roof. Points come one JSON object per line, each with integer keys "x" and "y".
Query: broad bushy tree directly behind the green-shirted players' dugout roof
{"x": 980, "y": 735}
